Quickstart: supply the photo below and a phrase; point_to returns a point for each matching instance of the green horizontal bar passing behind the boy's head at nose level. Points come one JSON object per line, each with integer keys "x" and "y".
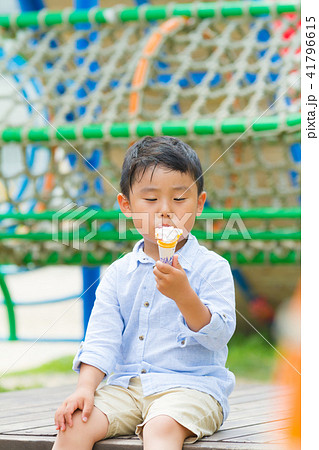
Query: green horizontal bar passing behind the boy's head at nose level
{"x": 208, "y": 213}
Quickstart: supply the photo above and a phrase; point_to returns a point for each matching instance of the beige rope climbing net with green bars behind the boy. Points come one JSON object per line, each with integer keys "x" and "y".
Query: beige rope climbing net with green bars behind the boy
{"x": 77, "y": 91}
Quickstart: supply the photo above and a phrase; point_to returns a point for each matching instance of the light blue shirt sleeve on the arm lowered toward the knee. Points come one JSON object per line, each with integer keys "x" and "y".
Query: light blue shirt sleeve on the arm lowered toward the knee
{"x": 105, "y": 328}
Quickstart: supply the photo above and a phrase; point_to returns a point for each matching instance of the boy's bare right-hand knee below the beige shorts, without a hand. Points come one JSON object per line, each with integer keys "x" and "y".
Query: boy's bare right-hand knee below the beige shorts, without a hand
{"x": 163, "y": 432}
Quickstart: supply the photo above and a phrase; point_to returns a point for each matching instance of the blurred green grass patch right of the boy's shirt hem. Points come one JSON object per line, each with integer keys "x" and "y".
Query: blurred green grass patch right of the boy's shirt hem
{"x": 251, "y": 357}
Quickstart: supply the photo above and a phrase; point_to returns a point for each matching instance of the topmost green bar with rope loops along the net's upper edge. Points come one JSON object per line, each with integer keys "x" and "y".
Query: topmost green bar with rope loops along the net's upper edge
{"x": 150, "y": 13}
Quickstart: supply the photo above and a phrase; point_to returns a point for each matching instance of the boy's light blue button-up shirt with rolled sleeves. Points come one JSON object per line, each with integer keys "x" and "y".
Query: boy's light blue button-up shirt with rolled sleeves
{"x": 134, "y": 330}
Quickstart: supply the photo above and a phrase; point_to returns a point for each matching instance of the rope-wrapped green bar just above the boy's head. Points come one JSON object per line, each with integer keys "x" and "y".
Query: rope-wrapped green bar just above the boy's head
{"x": 173, "y": 128}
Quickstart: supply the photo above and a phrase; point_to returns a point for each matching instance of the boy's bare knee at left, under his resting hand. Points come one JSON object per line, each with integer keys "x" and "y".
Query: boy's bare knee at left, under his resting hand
{"x": 83, "y": 435}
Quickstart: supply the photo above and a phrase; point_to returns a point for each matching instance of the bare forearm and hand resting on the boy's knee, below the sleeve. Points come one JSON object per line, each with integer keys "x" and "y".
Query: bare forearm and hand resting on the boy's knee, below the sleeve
{"x": 83, "y": 397}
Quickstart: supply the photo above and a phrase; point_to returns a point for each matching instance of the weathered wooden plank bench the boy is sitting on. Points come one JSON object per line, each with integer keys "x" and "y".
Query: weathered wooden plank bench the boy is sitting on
{"x": 259, "y": 419}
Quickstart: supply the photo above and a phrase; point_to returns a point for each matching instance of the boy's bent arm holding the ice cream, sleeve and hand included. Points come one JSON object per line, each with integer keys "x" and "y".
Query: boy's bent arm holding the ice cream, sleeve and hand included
{"x": 209, "y": 317}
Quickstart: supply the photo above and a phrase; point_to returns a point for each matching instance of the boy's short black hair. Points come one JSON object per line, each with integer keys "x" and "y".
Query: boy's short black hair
{"x": 163, "y": 151}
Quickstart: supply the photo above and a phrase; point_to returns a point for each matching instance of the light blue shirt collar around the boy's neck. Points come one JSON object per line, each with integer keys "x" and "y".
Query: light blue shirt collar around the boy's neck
{"x": 185, "y": 254}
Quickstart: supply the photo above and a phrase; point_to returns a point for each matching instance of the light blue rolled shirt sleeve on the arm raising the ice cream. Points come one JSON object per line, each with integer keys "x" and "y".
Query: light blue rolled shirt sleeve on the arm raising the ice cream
{"x": 218, "y": 294}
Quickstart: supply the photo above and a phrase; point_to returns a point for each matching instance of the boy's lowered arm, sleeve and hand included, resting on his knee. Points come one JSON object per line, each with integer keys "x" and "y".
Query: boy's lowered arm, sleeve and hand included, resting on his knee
{"x": 98, "y": 354}
